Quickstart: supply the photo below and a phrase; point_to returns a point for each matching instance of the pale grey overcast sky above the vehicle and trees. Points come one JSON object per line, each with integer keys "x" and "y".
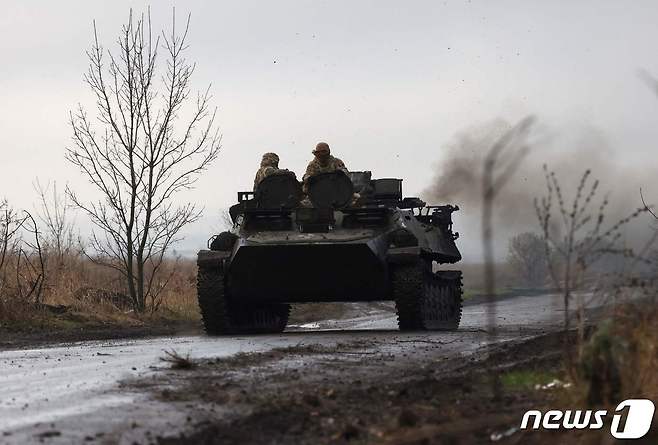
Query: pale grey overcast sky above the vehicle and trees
{"x": 386, "y": 83}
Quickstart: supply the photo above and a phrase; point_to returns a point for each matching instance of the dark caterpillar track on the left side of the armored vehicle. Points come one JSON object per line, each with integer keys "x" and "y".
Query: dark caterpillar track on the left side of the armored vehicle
{"x": 221, "y": 317}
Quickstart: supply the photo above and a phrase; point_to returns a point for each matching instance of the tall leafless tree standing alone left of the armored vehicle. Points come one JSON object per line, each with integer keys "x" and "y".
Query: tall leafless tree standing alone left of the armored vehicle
{"x": 149, "y": 148}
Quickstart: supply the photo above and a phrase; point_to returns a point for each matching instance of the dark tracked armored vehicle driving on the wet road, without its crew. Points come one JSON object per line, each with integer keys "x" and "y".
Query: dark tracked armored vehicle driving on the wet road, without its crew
{"x": 351, "y": 238}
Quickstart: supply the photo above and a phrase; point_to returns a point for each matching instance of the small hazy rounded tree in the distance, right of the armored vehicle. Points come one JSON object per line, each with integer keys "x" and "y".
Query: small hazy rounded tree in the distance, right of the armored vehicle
{"x": 527, "y": 258}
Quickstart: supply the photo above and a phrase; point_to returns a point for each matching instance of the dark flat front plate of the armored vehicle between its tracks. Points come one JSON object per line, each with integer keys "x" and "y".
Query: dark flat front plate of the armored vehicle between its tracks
{"x": 317, "y": 272}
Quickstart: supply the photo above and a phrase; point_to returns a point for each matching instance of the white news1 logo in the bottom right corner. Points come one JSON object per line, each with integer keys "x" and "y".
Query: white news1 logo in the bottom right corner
{"x": 631, "y": 419}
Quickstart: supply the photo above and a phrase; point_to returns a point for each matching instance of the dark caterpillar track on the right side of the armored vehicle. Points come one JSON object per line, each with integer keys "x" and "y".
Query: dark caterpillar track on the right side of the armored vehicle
{"x": 424, "y": 300}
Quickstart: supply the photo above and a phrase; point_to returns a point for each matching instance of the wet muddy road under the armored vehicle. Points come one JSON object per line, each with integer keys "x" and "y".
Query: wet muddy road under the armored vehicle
{"x": 112, "y": 391}
